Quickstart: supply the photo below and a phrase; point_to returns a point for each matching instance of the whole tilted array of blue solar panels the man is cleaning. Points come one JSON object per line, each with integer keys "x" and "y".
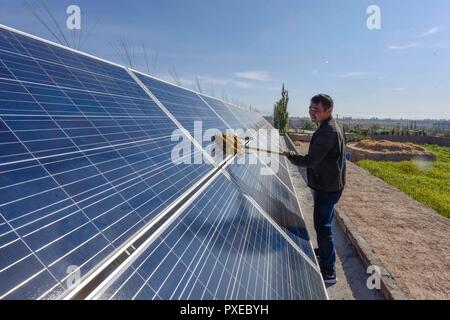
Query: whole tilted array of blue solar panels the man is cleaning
{"x": 89, "y": 191}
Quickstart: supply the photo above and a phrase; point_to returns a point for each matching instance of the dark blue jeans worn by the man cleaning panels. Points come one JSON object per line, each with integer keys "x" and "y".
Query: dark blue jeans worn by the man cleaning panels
{"x": 324, "y": 203}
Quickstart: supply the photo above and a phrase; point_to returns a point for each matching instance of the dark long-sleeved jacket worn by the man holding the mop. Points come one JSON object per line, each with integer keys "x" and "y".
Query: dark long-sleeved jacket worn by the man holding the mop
{"x": 325, "y": 160}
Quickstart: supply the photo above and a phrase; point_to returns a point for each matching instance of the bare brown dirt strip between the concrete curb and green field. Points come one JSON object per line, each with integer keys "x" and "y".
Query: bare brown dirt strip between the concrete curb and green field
{"x": 411, "y": 239}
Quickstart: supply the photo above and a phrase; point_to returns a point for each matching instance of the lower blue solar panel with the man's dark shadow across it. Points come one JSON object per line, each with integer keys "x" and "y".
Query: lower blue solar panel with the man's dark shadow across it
{"x": 220, "y": 247}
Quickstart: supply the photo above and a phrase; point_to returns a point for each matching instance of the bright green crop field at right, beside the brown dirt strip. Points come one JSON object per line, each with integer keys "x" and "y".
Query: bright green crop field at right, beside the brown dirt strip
{"x": 427, "y": 184}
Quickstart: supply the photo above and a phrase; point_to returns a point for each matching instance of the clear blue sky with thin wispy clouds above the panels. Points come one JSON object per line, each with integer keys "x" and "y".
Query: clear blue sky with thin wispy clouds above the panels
{"x": 246, "y": 50}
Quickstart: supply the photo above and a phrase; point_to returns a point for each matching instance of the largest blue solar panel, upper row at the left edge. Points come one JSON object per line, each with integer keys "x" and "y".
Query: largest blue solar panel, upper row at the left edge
{"x": 85, "y": 162}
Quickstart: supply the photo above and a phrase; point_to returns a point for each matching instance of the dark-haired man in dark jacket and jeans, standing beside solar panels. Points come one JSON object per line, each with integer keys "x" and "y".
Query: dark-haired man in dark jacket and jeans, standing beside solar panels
{"x": 325, "y": 163}
